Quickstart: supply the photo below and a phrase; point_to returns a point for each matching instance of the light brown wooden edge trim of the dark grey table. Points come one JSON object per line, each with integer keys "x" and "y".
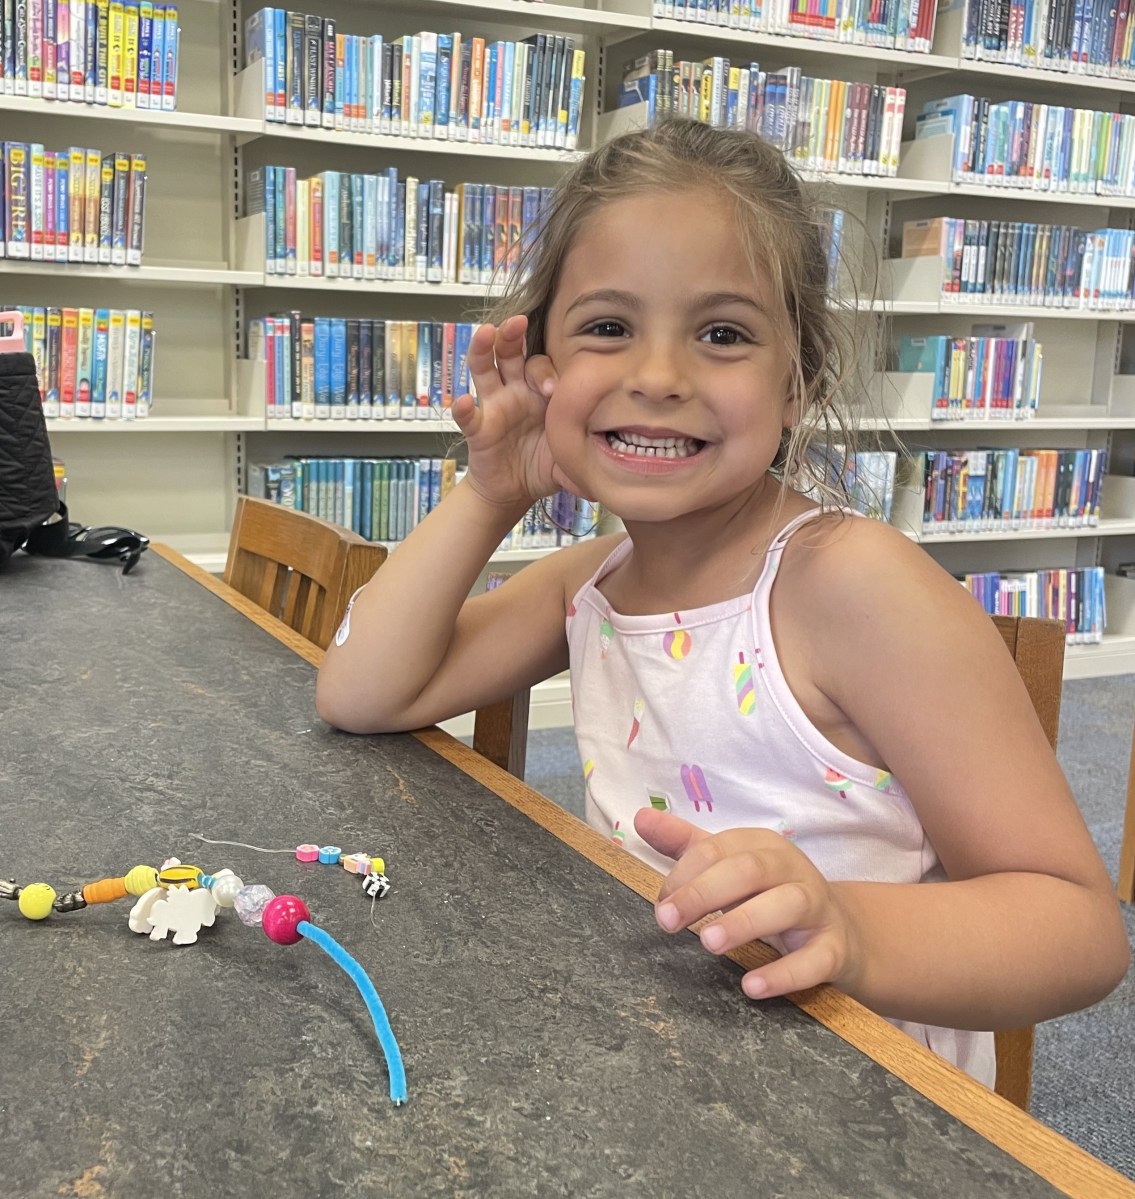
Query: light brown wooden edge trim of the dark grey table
{"x": 1045, "y": 1152}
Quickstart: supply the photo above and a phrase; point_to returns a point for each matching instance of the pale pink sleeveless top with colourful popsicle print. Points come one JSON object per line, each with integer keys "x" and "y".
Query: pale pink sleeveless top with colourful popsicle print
{"x": 690, "y": 712}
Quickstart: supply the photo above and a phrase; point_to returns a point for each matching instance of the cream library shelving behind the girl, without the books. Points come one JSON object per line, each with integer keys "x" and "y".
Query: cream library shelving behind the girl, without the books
{"x": 177, "y": 474}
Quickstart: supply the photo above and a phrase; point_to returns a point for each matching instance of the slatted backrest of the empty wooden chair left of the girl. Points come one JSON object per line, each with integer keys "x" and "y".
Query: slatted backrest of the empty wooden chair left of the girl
{"x": 298, "y": 568}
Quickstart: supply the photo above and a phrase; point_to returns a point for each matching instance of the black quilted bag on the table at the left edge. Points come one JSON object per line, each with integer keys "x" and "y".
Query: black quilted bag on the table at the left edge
{"x": 28, "y": 496}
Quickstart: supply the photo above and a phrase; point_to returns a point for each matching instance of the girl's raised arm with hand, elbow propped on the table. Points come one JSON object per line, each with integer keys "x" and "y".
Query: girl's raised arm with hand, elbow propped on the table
{"x": 415, "y": 649}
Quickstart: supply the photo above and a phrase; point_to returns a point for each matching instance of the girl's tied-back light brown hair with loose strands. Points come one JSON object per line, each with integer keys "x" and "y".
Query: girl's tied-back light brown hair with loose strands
{"x": 782, "y": 232}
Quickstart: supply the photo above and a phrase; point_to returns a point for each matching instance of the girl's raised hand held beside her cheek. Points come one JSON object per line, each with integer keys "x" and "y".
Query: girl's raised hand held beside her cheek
{"x": 509, "y": 459}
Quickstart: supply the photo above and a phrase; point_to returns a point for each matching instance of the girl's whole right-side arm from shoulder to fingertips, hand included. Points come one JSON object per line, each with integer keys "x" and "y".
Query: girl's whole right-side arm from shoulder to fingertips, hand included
{"x": 1028, "y": 926}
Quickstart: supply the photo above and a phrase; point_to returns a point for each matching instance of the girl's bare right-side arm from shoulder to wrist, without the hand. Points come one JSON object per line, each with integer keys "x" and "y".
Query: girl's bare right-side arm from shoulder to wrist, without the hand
{"x": 1029, "y": 926}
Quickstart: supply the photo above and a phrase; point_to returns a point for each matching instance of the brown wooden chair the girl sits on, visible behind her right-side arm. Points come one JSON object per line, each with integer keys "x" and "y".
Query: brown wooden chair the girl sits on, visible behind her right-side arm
{"x": 1039, "y": 650}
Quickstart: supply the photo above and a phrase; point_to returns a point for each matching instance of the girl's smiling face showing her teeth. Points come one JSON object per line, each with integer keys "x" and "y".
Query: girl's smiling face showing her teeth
{"x": 673, "y": 382}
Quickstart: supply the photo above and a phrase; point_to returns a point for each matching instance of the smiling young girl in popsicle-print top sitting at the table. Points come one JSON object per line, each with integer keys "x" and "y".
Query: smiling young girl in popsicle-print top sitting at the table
{"x": 794, "y": 704}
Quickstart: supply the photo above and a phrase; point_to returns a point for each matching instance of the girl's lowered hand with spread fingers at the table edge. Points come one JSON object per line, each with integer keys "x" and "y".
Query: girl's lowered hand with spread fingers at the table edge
{"x": 764, "y": 887}
